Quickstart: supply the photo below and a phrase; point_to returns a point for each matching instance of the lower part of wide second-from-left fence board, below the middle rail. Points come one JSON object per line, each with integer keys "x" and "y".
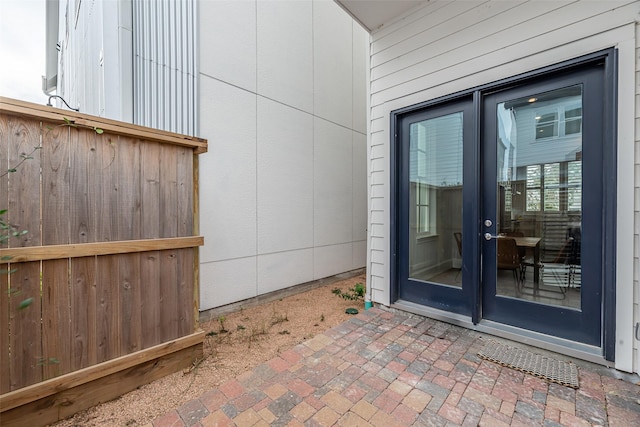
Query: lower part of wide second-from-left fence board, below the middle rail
{"x": 25, "y": 331}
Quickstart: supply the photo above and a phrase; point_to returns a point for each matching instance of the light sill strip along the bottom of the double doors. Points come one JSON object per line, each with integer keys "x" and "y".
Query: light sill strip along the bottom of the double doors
{"x": 543, "y": 342}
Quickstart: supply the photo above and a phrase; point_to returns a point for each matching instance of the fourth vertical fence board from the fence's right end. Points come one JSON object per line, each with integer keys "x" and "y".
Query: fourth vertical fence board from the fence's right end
{"x": 129, "y": 227}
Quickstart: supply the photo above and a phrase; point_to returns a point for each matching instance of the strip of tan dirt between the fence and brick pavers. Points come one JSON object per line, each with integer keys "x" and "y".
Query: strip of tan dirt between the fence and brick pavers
{"x": 235, "y": 343}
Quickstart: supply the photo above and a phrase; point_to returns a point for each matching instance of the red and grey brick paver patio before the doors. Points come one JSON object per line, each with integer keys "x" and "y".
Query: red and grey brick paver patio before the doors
{"x": 393, "y": 369}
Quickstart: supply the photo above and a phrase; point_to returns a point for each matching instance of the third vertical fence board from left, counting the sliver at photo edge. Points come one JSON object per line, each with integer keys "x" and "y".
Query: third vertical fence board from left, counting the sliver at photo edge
{"x": 56, "y": 304}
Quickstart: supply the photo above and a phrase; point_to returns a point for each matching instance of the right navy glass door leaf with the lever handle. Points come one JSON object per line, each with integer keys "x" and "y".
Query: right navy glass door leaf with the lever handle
{"x": 542, "y": 262}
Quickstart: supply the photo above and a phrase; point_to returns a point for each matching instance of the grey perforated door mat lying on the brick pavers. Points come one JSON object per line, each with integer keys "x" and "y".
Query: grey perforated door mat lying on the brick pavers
{"x": 543, "y": 367}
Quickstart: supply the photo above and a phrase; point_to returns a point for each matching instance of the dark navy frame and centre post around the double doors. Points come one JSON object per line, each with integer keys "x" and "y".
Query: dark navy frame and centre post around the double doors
{"x": 472, "y": 201}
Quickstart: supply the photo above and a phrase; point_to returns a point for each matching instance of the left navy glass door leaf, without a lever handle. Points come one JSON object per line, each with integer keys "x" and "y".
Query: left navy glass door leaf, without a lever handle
{"x": 431, "y": 270}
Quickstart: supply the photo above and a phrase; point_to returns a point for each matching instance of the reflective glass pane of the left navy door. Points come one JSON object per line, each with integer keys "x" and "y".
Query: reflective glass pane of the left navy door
{"x": 435, "y": 200}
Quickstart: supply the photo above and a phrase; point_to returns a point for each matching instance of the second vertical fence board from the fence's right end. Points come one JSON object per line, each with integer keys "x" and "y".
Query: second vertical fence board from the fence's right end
{"x": 169, "y": 285}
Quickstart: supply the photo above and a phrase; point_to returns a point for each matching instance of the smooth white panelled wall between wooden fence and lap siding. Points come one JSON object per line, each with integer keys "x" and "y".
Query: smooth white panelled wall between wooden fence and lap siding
{"x": 283, "y": 186}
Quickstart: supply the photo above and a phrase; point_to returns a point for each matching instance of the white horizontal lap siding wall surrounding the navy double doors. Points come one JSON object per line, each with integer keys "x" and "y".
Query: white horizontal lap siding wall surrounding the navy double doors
{"x": 447, "y": 46}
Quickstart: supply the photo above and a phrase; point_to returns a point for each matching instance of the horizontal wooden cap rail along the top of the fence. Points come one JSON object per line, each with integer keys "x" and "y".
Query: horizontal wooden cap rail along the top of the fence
{"x": 16, "y": 107}
